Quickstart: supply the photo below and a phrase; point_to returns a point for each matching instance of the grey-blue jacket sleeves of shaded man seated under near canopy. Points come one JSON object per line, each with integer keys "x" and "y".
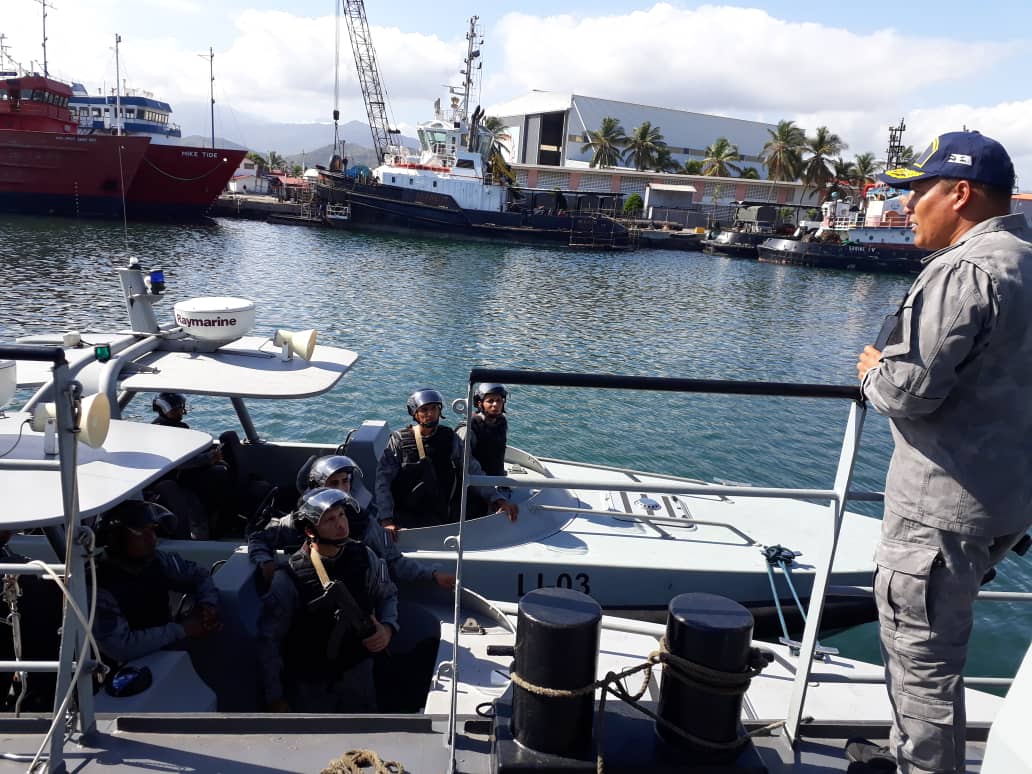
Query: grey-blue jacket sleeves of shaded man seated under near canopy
{"x": 112, "y": 630}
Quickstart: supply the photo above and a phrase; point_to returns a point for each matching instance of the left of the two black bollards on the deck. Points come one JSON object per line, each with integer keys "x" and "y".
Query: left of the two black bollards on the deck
{"x": 558, "y": 634}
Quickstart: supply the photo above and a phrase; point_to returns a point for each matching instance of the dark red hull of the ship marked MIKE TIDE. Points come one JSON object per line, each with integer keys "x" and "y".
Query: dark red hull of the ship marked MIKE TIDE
{"x": 180, "y": 182}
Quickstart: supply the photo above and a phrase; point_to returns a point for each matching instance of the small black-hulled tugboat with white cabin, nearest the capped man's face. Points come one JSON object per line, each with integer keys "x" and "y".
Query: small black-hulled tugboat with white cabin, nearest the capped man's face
{"x": 876, "y": 238}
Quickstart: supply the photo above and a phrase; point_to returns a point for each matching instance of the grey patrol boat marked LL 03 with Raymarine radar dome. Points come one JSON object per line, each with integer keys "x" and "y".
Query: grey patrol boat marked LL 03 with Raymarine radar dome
{"x": 628, "y": 538}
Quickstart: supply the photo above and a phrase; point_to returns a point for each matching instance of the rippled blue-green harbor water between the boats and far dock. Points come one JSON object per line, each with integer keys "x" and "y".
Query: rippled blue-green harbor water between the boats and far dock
{"x": 422, "y": 313}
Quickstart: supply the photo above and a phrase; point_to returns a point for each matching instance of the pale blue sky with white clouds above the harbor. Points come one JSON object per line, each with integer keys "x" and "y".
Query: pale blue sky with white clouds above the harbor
{"x": 855, "y": 68}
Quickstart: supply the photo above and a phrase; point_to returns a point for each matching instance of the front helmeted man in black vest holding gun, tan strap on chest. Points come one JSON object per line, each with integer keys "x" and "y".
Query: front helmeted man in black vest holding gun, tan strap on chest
{"x": 325, "y": 619}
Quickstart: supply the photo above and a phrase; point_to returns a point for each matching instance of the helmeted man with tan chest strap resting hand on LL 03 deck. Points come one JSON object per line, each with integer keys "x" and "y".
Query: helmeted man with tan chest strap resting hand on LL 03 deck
{"x": 418, "y": 473}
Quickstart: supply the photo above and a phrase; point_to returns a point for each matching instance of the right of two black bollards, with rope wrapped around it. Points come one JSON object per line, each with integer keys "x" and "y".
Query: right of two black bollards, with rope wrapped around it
{"x": 715, "y": 632}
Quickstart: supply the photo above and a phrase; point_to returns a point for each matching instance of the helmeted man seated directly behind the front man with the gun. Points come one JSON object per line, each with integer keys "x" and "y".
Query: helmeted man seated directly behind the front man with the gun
{"x": 339, "y": 472}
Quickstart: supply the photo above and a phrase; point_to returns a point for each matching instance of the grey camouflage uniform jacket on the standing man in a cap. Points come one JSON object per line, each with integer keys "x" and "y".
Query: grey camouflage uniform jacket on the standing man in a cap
{"x": 956, "y": 380}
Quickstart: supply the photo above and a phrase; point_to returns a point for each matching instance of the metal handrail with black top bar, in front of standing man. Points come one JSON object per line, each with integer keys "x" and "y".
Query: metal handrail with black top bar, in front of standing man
{"x": 836, "y": 497}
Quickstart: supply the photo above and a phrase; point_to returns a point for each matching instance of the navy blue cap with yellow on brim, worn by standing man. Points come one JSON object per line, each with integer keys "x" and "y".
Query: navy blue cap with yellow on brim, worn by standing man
{"x": 962, "y": 155}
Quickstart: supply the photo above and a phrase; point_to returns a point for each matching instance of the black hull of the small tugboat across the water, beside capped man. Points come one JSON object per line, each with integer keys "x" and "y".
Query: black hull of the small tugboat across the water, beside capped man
{"x": 883, "y": 259}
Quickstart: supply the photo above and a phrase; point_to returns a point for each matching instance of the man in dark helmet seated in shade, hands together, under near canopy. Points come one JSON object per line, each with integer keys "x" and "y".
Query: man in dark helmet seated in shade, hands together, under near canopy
{"x": 135, "y": 580}
